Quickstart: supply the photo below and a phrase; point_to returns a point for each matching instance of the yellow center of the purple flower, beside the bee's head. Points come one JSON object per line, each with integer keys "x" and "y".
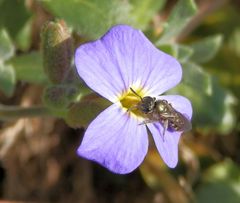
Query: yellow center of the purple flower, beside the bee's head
{"x": 130, "y": 100}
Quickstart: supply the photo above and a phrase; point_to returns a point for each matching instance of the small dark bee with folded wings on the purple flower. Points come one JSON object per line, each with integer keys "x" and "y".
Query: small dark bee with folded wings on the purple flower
{"x": 162, "y": 111}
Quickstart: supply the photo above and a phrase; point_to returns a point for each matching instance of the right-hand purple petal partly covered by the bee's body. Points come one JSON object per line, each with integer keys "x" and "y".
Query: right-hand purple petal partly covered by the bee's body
{"x": 168, "y": 146}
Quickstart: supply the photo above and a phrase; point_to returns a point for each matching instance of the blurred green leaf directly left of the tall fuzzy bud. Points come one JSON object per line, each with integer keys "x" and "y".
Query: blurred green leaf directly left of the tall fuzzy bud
{"x": 29, "y": 68}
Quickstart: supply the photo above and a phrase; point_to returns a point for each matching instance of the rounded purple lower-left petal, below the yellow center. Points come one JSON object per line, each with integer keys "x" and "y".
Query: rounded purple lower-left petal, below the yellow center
{"x": 115, "y": 140}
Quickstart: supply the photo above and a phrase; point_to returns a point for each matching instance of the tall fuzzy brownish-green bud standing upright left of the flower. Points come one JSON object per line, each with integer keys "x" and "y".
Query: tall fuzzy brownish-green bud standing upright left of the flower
{"x": 57, "y": 50}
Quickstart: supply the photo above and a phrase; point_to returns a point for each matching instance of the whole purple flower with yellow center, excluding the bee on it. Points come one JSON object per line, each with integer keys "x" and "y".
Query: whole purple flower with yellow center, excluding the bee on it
{"x": 121, "y": 59}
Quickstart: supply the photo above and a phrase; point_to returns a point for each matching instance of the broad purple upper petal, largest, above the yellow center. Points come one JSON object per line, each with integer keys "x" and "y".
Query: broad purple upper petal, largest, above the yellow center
{"x": 122, "y": 58}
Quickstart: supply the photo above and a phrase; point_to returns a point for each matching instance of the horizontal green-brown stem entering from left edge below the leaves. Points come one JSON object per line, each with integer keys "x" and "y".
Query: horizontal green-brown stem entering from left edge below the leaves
{"x": 16, "y": 112}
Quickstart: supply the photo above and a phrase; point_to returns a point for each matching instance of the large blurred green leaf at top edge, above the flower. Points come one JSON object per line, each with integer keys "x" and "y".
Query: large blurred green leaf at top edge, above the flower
{"x": 90, "y": 18}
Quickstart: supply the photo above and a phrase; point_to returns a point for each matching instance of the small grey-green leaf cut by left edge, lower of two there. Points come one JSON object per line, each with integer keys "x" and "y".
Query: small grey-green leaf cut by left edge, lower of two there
{"x": 7, "y": 79}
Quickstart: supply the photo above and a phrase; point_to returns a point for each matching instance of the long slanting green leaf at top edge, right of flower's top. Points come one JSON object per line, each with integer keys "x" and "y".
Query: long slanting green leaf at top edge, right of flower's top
{"x": 178, "y": 19}
